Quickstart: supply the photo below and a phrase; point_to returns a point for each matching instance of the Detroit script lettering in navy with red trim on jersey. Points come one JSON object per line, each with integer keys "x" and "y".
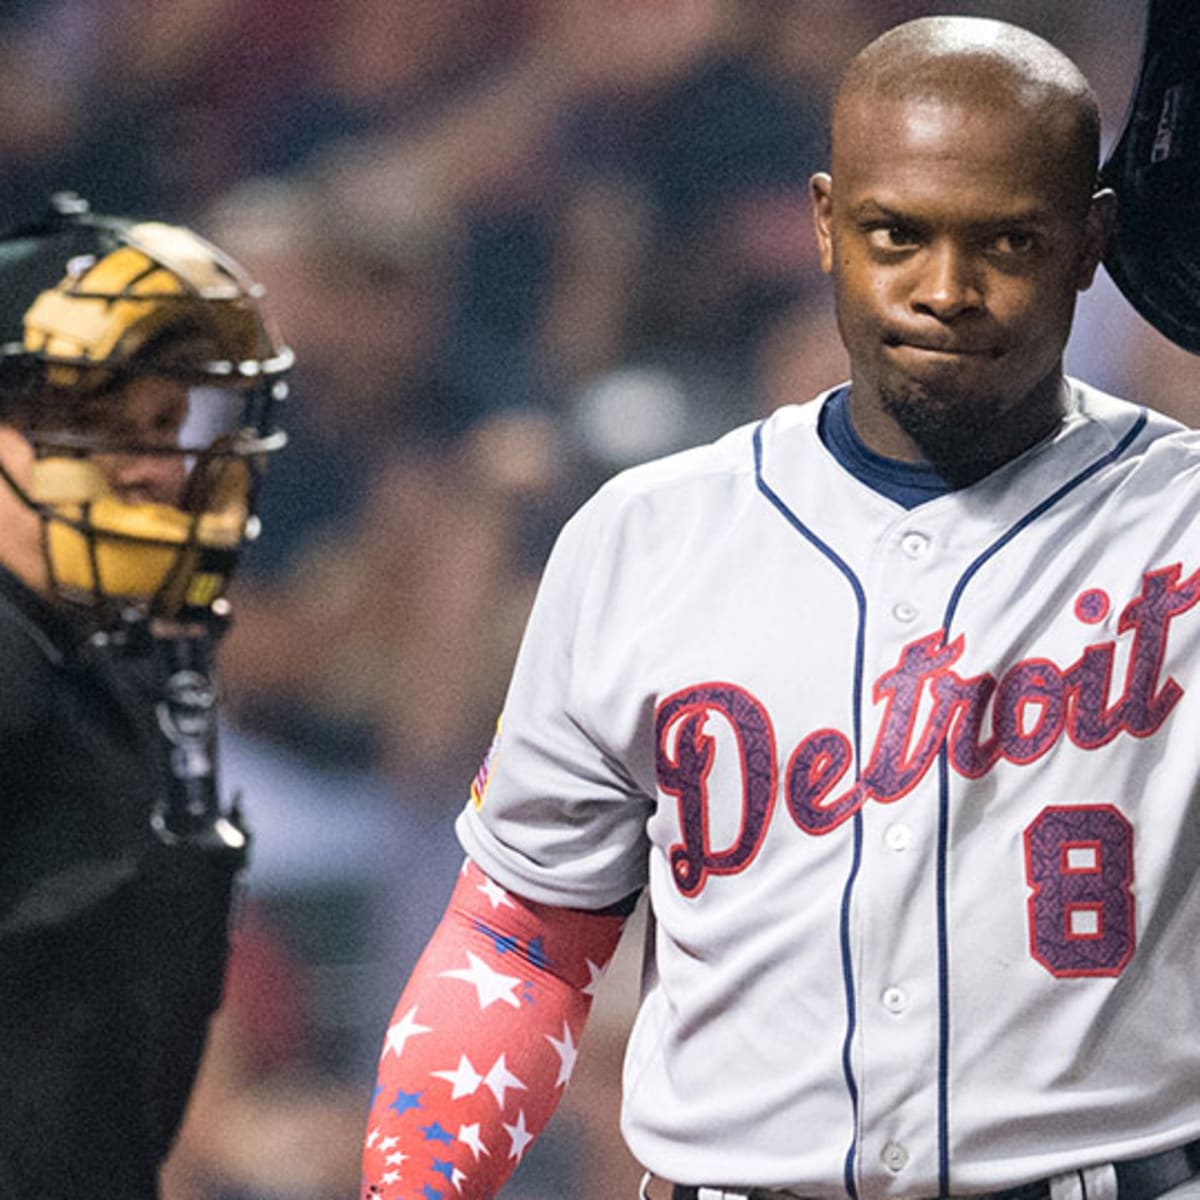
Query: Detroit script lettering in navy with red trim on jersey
{"x": 1033, "y": 706}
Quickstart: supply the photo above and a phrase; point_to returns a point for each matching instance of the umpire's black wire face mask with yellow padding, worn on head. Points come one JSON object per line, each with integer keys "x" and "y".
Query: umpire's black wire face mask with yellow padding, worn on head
{"x": 137, "y": 363}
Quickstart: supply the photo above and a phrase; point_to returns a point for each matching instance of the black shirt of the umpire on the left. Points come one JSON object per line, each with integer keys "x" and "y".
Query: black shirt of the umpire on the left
{"x": 112, "y": 945}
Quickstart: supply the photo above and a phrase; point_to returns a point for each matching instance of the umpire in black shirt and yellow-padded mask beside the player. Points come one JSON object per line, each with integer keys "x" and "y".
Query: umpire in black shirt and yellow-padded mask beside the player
{"x": 139, "y": 386}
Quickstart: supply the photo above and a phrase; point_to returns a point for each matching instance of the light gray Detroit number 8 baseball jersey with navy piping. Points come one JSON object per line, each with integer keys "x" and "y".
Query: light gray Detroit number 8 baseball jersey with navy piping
{"x": 914, "y": 794}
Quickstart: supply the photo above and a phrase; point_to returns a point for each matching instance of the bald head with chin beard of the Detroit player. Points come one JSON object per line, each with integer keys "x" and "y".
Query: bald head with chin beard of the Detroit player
{"x": 968, "y": 149}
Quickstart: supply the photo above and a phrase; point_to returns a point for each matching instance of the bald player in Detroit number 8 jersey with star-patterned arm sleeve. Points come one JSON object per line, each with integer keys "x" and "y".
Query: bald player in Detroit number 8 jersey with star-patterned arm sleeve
{"x": 889, "y": 705}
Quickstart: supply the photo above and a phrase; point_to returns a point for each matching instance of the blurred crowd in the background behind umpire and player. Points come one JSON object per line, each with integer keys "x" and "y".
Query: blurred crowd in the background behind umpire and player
{"x": 518, "y": 245}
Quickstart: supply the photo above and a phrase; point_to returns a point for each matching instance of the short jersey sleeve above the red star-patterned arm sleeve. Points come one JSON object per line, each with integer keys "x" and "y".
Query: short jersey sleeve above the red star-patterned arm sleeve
{"x": 559, "y": 811}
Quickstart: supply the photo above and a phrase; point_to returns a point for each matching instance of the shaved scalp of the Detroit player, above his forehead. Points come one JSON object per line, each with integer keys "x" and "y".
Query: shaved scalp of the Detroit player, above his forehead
{"x": 977, "y": 63}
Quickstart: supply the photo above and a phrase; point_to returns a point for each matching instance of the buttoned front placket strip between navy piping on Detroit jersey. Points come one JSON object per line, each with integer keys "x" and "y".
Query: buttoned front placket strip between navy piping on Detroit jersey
{"x": 897, "y": 963}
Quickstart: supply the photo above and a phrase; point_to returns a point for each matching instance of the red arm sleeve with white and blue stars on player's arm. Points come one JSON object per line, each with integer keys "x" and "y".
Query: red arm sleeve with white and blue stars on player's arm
{"x": 482, "y": 1043}
